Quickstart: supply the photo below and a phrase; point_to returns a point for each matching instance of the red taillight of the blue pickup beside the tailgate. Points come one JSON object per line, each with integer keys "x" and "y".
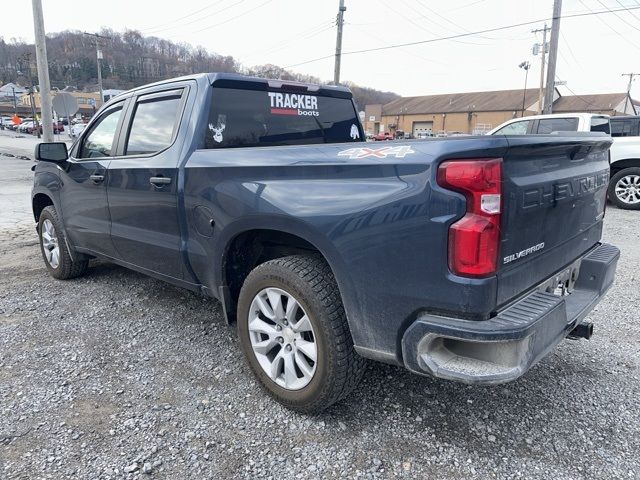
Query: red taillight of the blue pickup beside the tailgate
{"x": 474, "y": 239}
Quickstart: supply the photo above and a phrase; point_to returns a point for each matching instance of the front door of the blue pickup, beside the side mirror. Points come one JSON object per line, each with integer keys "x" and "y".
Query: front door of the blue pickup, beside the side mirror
{"x": 84, "y": 197}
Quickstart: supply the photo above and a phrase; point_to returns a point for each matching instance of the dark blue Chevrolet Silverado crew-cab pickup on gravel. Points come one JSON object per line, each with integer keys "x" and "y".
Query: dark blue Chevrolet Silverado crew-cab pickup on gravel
{"x": 466, "y": 259}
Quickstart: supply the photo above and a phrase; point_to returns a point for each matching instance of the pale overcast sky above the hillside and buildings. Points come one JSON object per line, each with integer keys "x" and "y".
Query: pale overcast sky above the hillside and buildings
{"x": 594, "y": 50}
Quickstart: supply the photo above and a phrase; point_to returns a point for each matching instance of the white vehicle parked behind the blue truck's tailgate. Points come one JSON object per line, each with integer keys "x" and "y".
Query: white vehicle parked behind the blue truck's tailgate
{"x": 624, "y": 185}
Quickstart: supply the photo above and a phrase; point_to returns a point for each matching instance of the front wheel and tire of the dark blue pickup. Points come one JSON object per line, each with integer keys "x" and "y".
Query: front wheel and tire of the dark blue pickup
{"x": 53, "y": 247}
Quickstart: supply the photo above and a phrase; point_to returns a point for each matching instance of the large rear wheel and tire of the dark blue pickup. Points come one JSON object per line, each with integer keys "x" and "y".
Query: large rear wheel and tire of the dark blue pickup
{"x": 337, "y": 368}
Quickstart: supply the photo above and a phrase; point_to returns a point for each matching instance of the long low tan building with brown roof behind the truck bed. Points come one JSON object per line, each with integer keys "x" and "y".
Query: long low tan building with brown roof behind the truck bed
{"x": 479, "y": 112}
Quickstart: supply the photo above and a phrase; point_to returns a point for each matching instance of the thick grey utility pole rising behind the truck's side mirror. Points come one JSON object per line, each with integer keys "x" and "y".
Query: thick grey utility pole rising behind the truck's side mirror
{"x": 43, "y": 72}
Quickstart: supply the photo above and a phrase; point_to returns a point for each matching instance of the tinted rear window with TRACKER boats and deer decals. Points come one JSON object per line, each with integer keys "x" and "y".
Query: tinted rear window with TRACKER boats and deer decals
{"x": 254, "y": 118}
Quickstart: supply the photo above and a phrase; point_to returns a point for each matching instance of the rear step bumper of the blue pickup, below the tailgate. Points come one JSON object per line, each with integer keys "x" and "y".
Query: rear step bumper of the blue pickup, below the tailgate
{"x": 504, "y": 347}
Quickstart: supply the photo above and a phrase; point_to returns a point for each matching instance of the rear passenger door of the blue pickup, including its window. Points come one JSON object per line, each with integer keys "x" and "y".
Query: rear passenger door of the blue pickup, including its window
{"x": 142, "y": 184}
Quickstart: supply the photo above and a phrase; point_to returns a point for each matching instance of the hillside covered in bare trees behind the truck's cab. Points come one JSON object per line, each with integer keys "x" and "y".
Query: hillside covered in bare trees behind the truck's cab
{"x": 131, "y": 59}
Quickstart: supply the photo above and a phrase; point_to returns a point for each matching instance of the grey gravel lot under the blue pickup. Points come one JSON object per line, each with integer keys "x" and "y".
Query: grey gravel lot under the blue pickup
{"x": 115, "y": 375}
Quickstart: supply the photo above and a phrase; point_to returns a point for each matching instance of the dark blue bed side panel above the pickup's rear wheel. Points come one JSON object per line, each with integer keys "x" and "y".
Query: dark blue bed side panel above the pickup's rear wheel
{"x": 381, "y": 223}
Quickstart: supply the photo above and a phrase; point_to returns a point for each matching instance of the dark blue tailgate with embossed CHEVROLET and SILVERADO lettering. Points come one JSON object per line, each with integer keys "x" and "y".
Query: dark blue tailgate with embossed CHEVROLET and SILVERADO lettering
{"x": 554, "y": 190}
